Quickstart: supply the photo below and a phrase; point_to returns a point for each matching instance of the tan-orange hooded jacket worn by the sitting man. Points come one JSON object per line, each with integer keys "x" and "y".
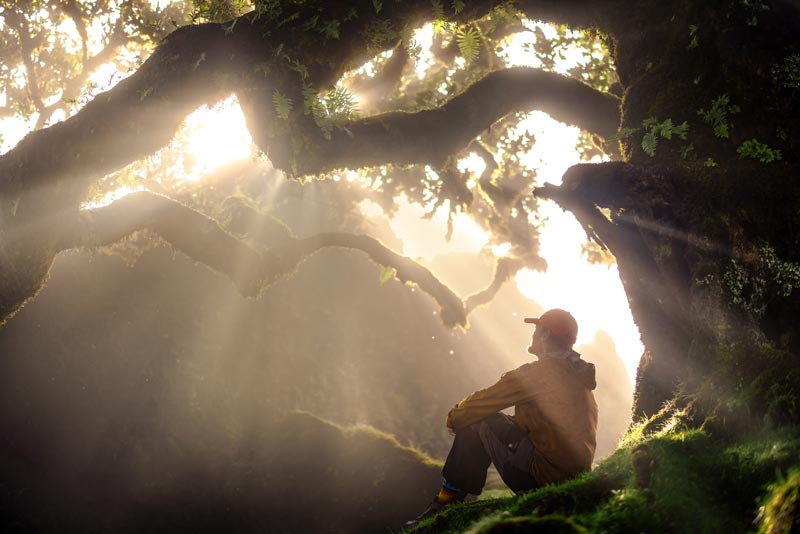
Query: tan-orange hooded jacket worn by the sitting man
{"x": 553, "y": 401}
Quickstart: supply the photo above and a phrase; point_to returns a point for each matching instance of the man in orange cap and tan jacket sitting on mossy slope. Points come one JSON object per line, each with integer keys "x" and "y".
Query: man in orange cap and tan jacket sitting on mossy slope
{"x": 551, "y": 437}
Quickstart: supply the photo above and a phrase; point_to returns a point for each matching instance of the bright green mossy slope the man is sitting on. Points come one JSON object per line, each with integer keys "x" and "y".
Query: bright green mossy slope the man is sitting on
{"x": 664, "y": 477}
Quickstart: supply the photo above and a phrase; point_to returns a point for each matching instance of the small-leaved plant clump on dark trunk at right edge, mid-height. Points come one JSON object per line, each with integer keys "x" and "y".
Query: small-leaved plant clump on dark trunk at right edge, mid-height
{"x": 754, "y": 285}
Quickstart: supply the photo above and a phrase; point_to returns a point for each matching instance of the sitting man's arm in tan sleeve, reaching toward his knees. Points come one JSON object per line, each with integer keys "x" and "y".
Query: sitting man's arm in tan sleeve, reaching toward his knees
{"x": 509, "y": 390}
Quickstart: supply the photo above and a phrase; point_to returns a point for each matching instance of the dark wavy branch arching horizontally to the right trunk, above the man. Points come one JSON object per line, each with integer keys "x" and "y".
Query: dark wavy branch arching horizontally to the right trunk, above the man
{"x": 430, "y": 136}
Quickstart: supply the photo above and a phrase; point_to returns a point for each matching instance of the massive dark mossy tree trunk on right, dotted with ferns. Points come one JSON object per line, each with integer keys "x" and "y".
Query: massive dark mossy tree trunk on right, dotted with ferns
{"x": 704, "y": 212}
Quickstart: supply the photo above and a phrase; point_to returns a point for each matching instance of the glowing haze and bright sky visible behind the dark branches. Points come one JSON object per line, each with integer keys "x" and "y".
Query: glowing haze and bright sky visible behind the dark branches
{"x": 139, "y": 391}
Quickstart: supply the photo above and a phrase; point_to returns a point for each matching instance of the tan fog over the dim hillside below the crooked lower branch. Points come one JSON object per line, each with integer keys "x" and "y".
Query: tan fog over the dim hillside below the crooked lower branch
{"x": 148, "y": 395}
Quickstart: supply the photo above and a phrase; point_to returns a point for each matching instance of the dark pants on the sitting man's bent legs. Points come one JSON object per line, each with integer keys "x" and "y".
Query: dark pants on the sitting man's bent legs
{"x": 496, "y": 440}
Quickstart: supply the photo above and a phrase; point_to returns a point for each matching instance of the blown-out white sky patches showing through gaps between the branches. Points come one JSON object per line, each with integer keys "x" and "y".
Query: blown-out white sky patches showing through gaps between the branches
{"x": 594, "y": 294}
